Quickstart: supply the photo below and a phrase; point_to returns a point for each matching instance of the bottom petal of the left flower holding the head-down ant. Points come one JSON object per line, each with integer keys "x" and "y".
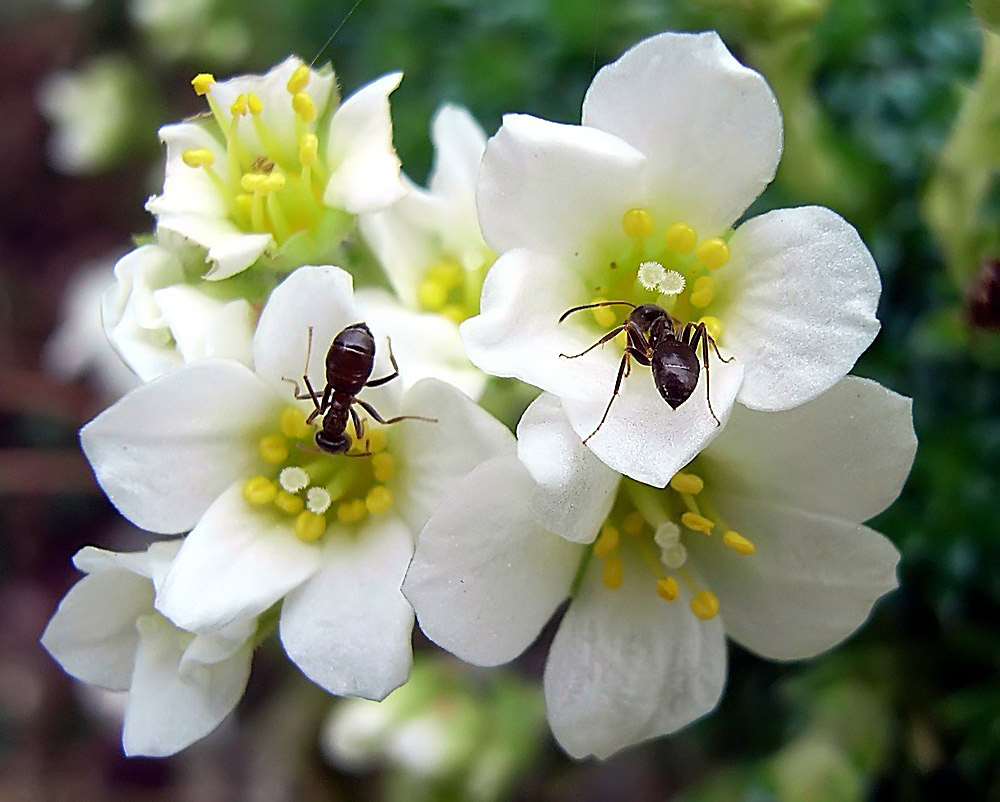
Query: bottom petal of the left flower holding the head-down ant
{"x": 348, "y": 627}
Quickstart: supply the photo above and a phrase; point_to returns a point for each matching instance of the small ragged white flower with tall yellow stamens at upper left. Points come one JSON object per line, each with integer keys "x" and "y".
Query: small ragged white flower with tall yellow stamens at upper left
{"x": 279, "y": 167}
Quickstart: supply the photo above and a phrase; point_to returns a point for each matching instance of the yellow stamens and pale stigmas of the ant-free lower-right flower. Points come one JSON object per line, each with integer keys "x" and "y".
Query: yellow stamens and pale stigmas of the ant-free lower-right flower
{"x": 656, "y": 524}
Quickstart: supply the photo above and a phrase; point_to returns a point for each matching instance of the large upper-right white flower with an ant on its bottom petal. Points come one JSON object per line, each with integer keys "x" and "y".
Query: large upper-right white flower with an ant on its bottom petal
{"x": 677, "y": 140}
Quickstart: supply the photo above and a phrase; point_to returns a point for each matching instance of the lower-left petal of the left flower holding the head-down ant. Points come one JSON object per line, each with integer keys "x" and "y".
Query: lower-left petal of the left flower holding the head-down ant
{"x": 237, "y": 562}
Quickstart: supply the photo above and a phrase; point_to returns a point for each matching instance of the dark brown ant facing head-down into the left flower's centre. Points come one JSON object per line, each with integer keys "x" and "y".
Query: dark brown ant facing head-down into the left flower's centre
{"x": 349, "y": 364}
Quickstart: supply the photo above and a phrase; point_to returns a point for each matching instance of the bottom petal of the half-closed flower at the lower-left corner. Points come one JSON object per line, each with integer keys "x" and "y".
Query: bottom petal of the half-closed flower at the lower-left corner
{"x": 166, "y": 711}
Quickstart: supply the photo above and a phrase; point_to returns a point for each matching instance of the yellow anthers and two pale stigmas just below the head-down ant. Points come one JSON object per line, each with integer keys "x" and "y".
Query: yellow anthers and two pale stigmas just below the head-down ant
{"x": 309, "y": 487}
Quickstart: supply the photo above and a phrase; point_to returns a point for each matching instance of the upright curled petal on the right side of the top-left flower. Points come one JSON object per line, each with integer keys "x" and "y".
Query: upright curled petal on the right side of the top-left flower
{"x": 364, "y": 166}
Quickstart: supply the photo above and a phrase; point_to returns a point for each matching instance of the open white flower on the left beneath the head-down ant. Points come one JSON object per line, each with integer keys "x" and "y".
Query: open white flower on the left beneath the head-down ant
{"x": 208, "y": 446}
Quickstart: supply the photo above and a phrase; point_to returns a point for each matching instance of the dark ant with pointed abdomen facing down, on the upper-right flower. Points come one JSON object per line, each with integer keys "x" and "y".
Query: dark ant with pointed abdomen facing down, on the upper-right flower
{"x": 653, "y": 341}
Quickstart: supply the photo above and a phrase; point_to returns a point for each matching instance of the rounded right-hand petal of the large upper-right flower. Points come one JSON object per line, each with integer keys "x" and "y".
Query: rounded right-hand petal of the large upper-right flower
{"x": 805, "y": 290}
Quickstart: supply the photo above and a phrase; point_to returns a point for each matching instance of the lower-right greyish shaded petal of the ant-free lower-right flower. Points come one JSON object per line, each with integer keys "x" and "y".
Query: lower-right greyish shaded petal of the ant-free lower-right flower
{"x": 811, "y": 582}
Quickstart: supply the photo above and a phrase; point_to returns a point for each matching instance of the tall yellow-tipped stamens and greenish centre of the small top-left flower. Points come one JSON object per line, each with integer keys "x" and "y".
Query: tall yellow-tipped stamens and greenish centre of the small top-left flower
{"x": 278, "y": 191}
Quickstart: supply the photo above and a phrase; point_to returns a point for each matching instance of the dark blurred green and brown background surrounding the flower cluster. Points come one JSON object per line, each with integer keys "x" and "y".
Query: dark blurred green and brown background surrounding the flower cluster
{"x": 892, "y": 115}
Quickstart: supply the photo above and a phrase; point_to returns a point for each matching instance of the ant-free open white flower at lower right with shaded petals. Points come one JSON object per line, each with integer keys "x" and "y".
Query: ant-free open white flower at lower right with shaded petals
{"x": 774, "y": 555}
